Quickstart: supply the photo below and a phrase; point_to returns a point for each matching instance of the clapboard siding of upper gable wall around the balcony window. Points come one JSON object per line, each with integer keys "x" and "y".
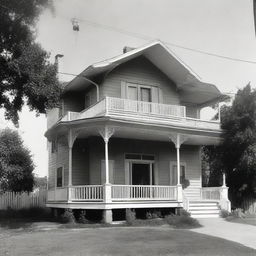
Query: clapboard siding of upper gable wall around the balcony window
{"x": 140, "y": 71}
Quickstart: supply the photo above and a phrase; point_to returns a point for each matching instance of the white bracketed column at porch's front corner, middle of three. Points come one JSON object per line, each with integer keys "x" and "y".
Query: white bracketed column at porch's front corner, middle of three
{"x": 106, "y": 134}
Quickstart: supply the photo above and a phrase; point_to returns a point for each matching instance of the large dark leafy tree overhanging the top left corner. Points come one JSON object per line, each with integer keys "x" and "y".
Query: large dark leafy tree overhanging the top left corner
{"x": 26, "y": 75}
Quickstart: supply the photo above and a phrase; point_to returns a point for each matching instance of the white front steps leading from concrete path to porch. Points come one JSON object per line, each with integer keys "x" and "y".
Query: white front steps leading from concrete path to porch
{"x": 204, "y": 209}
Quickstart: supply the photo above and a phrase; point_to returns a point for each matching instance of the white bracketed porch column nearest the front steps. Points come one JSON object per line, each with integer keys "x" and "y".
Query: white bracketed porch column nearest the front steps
{"x": 178, "y": 140}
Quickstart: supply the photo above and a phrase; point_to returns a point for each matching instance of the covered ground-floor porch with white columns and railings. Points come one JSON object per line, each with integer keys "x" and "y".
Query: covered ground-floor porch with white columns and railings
{"x": 127, "y": 166}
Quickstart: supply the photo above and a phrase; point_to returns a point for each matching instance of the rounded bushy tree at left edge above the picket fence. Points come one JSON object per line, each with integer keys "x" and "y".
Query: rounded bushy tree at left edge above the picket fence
{"x": 16, "y": 165}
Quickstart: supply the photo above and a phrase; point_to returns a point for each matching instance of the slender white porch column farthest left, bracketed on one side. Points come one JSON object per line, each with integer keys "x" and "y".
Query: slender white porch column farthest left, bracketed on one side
{"x": 71, "y": 139}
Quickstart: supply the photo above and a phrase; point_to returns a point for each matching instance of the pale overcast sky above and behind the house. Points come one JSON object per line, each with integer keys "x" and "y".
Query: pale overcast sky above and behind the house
{"x": 223, "y": 27}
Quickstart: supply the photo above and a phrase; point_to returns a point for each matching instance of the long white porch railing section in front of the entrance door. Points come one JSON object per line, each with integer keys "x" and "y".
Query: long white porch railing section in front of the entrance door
{"x": 143, "y": 192}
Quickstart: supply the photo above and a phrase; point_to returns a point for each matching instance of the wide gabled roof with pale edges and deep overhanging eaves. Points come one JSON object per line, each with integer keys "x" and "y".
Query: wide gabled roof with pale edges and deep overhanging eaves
{"x": 187, "y": 81}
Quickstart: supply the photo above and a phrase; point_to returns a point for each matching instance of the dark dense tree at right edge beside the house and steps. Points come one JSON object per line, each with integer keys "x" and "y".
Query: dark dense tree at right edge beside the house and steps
{"x": 236, "y": 156}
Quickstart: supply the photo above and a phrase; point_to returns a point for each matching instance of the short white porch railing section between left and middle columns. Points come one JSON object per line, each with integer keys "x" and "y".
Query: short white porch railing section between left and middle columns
{"x": 86, "y": 193}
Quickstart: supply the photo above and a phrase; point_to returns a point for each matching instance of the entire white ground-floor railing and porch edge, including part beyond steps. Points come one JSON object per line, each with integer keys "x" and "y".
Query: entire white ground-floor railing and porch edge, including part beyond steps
{"x": 133, "y": 196}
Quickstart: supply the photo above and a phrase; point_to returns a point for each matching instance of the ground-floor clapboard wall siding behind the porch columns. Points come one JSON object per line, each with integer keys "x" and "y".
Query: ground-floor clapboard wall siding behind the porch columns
{"x": 88, "y": 156}
